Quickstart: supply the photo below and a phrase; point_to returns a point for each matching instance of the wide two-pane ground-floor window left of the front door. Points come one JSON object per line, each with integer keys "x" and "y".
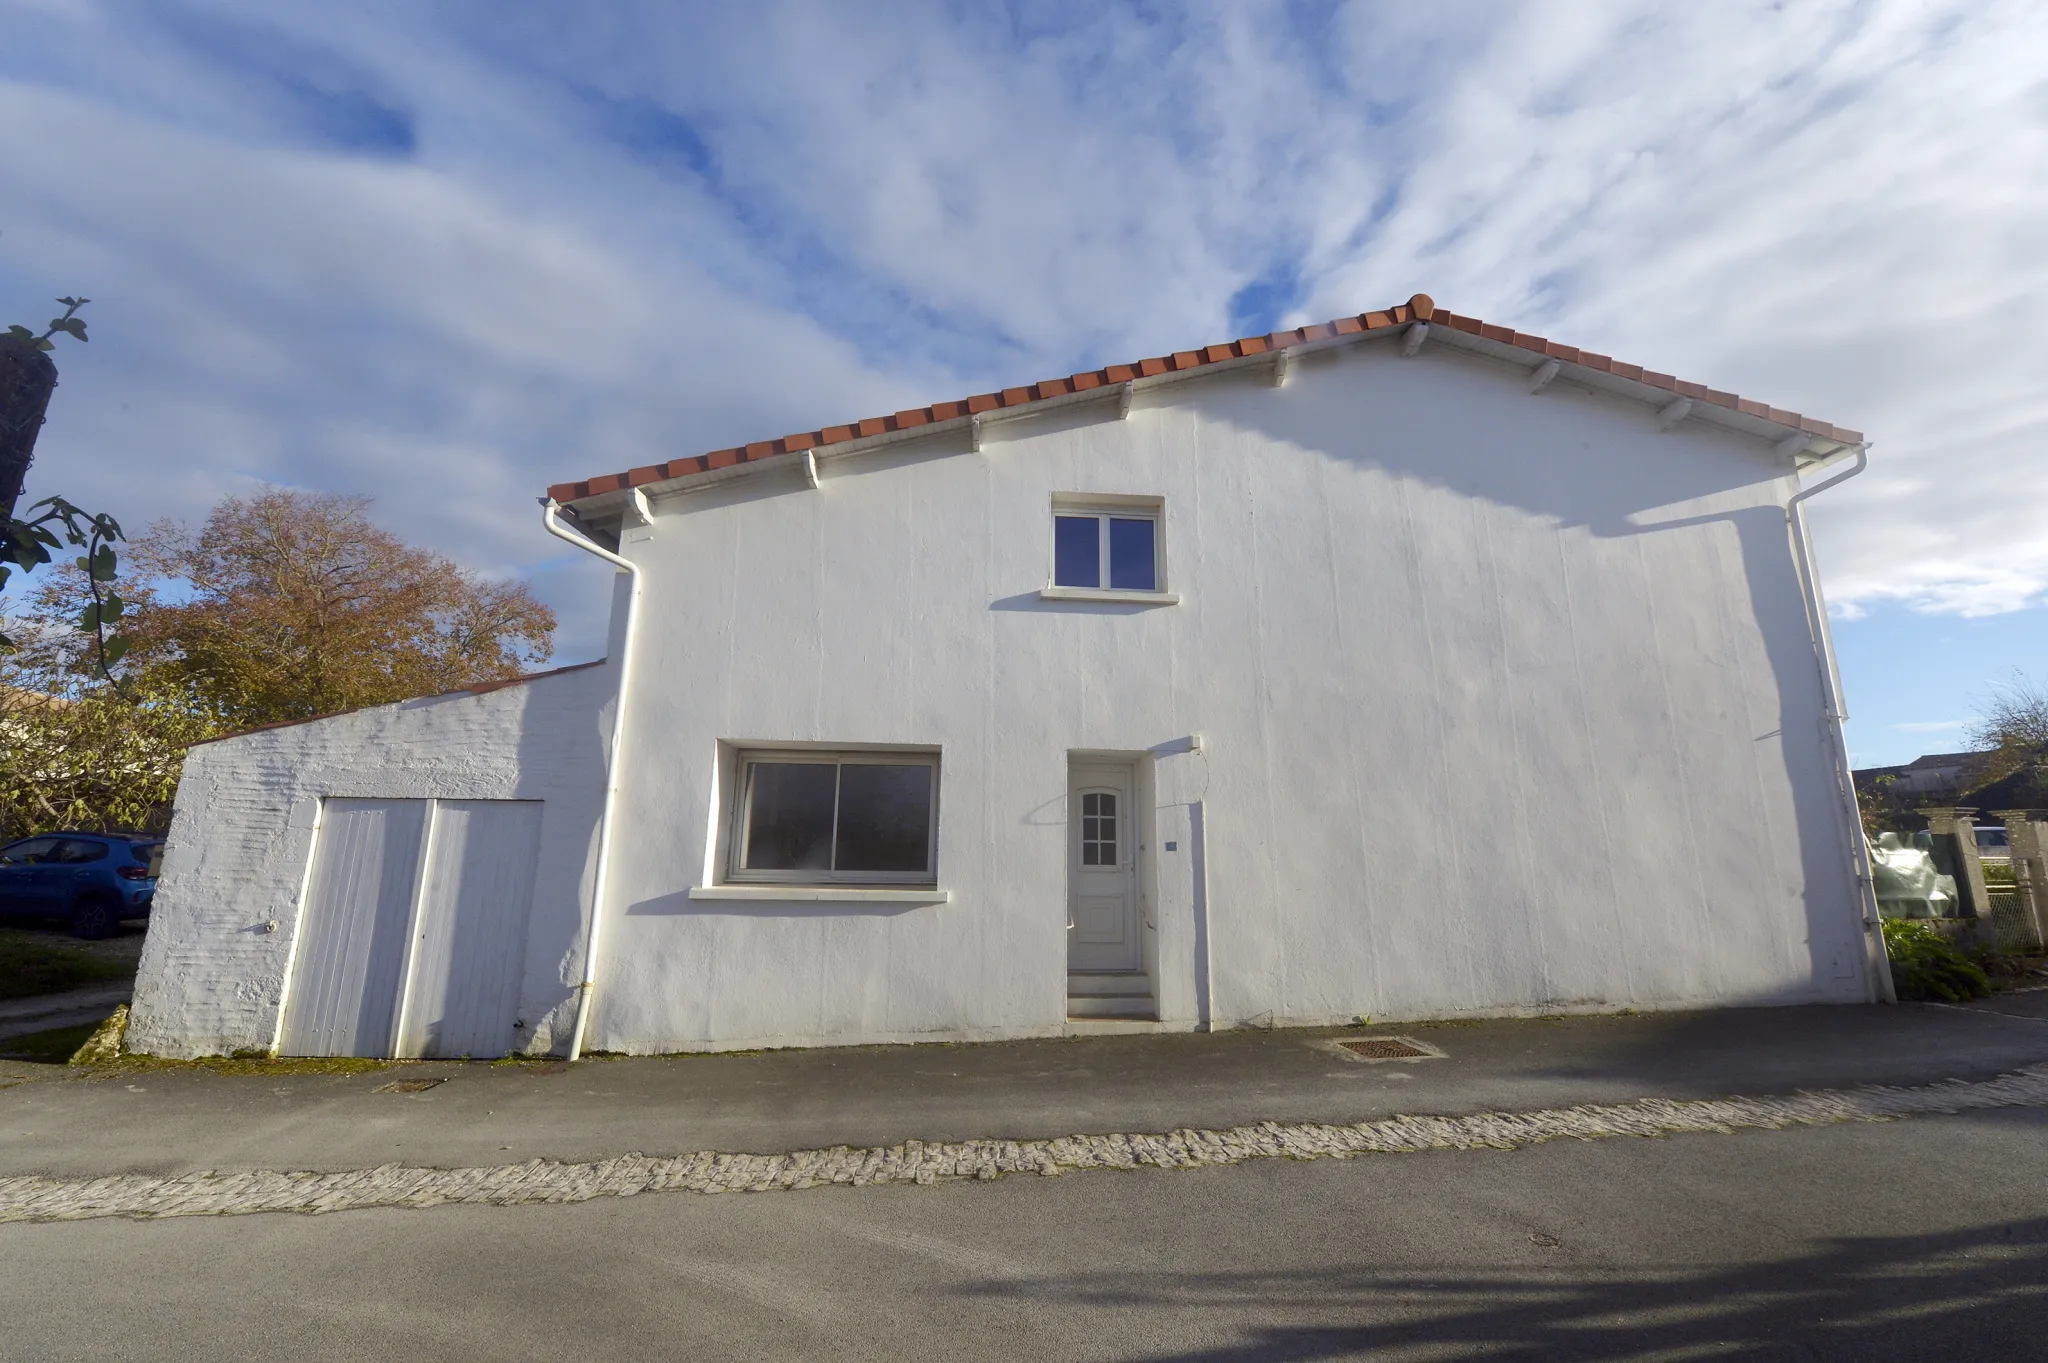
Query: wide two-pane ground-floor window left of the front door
{"x": 808, "y": 818}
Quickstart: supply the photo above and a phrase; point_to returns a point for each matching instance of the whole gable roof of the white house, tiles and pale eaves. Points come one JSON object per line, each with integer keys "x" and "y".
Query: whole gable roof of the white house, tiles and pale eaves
{"x": 1420, "y": 318}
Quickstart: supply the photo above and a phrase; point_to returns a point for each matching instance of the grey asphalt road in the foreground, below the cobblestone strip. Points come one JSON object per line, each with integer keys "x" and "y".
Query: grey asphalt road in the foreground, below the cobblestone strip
{"x": 1922, "y": 1239}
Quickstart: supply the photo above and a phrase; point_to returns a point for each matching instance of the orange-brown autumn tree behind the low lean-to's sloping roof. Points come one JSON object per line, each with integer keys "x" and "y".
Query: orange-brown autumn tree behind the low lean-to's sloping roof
{"x": 290, "y": 605}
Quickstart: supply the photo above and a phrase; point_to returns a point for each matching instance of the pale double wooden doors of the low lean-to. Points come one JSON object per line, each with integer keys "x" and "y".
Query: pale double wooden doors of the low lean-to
{"x": 415, "y": 930}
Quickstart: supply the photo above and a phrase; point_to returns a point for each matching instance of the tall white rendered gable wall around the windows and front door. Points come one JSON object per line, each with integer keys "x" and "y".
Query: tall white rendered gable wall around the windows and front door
{"x": 1506, "y": 703}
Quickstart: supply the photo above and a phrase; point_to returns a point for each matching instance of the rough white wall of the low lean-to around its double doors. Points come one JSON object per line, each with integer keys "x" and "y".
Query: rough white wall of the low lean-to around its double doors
{"x": 214, "y": 973}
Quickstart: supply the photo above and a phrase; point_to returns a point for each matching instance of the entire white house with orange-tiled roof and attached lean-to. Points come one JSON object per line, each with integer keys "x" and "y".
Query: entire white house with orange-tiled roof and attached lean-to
{"x": 1402, "y": 666}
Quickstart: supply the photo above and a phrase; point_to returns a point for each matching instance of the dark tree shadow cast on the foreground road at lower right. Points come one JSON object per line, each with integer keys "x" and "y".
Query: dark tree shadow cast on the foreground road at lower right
{"x": 1971, "y": 1294}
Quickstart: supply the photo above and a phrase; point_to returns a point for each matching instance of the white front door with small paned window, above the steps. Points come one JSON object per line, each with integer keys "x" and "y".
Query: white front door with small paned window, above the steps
{"x": 1103, "y": 854}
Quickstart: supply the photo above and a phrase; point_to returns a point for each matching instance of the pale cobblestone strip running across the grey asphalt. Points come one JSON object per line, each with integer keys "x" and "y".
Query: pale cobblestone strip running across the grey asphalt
{"x": 710, "y": 1172}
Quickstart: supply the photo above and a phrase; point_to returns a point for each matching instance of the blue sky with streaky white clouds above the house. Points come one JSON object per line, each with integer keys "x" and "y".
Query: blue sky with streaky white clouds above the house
{"x": 447, "y": 255}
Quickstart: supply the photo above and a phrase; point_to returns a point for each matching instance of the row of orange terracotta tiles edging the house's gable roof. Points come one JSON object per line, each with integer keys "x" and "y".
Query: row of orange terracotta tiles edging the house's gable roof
{"x": 1183, "y": 361}
